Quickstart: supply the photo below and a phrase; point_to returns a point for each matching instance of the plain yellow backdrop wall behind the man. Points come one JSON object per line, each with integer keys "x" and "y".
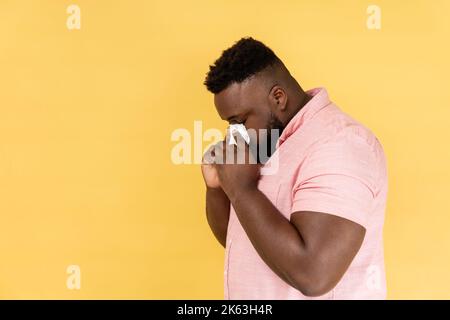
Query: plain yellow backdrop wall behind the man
{"x": 86, "y": 117}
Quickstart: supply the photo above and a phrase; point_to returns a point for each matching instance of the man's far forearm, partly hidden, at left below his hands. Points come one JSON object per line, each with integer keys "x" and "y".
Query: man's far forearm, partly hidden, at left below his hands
{"x": 218, "y": 213}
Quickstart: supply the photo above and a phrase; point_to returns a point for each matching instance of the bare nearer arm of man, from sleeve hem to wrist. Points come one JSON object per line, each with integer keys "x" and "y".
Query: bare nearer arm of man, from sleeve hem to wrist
{"x": 311, "y": 252}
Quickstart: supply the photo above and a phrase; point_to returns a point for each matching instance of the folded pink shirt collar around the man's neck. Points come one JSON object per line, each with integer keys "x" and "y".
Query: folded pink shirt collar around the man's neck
{"x": 319, "y": 100}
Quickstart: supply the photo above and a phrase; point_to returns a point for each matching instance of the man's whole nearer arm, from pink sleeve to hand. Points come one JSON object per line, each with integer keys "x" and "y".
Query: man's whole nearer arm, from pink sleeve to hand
{"x": 312, "y": 250}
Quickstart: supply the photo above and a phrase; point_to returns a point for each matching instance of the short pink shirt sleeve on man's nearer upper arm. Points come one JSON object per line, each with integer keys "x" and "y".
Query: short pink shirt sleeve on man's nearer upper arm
{"x": 338, "y": 177}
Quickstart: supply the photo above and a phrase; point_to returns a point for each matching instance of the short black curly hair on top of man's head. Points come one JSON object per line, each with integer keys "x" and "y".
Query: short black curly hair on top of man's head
{"x": 237, "y": 63}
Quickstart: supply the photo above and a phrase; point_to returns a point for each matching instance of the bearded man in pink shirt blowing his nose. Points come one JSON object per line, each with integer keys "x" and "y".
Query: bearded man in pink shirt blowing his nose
{"x": 314, "y": 228}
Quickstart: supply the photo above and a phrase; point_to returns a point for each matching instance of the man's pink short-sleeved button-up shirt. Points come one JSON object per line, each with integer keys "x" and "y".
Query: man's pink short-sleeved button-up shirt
{"x": 327, "y": 162}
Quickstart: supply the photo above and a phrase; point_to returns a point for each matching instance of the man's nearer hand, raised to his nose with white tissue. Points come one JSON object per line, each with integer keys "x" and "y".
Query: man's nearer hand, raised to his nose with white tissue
{"x": 236, "y": 168}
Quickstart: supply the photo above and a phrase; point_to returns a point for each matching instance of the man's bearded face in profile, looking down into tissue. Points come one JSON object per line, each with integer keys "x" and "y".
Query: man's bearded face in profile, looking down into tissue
{"x": 249, "y": 103}
